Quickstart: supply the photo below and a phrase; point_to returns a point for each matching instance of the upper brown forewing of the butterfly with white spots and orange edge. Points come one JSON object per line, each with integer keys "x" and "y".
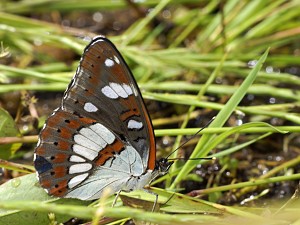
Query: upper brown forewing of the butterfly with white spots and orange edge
{"x": 104, "y": 89}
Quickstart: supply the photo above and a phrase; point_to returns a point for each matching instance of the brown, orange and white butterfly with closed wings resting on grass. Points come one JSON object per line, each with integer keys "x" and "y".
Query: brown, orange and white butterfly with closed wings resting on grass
{"x": 101, "y": 136}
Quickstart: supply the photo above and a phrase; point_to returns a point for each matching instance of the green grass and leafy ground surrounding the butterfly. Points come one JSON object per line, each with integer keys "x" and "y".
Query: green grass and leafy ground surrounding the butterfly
{"x": 237, "y": 60}
